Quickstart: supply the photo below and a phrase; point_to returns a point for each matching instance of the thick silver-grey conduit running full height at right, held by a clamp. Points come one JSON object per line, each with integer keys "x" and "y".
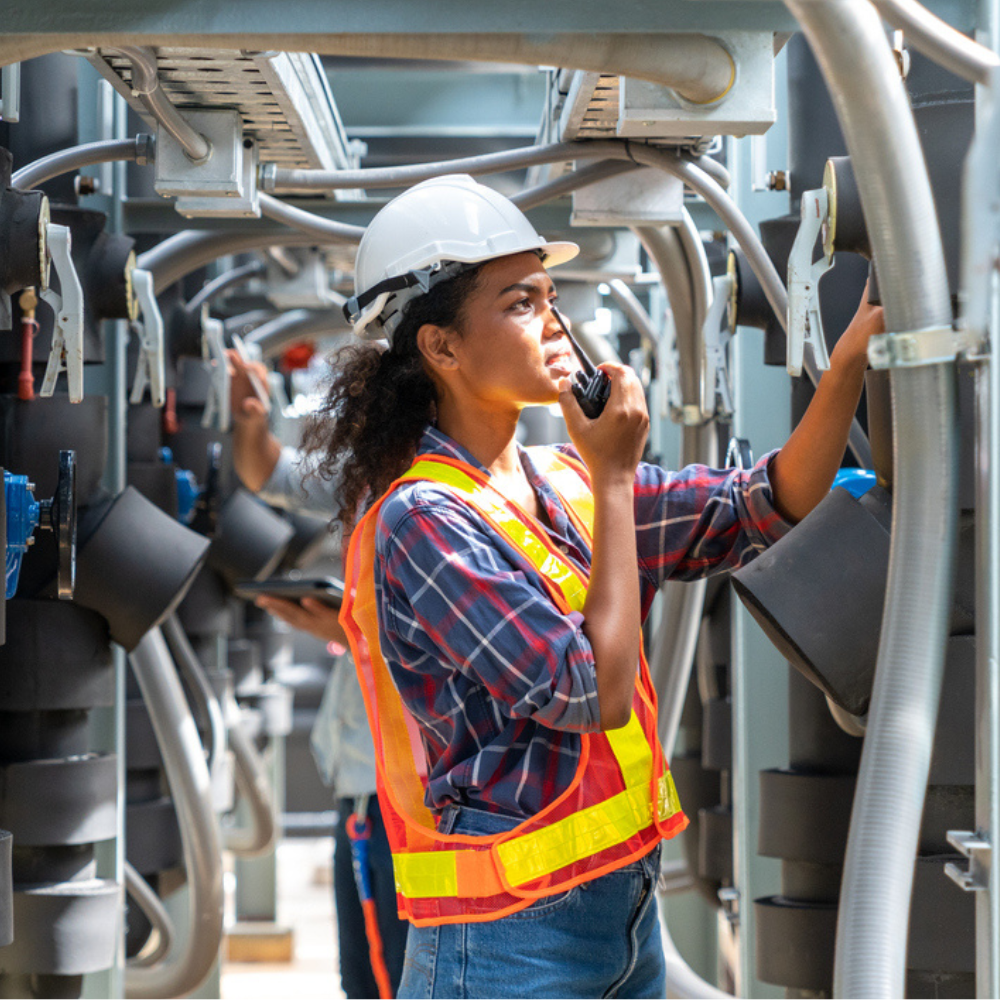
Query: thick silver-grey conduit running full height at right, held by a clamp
{"x": 850, "y": 45}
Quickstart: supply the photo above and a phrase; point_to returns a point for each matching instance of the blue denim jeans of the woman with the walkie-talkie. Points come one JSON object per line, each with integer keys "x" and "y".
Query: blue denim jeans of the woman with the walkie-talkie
{"x": 599, "y": 939}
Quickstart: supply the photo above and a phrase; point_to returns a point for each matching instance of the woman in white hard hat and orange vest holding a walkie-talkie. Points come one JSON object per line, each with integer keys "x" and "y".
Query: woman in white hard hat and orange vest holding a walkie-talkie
{"x": 499, "y": 593}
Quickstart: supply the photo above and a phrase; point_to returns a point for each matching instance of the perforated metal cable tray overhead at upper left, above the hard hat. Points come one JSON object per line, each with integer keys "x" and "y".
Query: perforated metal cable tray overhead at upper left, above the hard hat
{"x": 283, "y": 98}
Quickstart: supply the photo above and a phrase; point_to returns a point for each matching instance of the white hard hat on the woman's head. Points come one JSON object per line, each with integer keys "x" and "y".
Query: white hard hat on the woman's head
{"x": 411, "y": 242}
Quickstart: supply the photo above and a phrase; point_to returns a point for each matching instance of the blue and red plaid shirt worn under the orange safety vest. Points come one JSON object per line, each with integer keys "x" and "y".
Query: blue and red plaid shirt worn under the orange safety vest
{"x": 500, "y": 681}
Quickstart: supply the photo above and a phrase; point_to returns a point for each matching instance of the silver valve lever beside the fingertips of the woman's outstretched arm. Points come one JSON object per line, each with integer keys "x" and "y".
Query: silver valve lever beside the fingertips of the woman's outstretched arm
{"x": 805, "y": 324}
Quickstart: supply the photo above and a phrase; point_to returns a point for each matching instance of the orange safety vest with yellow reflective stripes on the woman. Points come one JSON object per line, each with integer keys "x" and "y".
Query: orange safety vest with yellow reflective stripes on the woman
{"x": 602, "y": 821}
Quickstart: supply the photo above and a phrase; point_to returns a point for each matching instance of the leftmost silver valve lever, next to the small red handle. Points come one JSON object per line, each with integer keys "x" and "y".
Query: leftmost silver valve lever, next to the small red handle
{"x": 66, "y": 353}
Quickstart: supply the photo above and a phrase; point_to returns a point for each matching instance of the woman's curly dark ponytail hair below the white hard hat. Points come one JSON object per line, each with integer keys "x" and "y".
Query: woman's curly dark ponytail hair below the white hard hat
{"x": 379, "y": 401}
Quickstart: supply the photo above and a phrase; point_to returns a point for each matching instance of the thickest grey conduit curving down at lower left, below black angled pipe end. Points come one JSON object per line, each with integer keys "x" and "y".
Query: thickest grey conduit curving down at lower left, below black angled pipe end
{"x": 191, "y": 960}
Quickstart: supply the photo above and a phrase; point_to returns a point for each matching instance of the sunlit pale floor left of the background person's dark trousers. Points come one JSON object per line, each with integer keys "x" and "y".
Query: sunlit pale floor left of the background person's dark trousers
{"x": 305, "y": 903}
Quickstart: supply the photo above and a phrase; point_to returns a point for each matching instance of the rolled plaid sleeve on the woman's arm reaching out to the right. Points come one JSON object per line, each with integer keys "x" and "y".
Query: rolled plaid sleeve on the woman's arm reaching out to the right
{"x": 701, "y": 521}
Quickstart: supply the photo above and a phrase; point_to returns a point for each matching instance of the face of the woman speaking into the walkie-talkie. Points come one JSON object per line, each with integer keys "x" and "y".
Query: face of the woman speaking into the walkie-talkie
{"x": 510, "y": 349}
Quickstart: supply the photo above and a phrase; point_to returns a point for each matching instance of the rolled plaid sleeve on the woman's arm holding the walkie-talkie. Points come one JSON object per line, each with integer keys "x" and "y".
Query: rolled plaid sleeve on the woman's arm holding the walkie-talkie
{"x": 451, "y": 594}
